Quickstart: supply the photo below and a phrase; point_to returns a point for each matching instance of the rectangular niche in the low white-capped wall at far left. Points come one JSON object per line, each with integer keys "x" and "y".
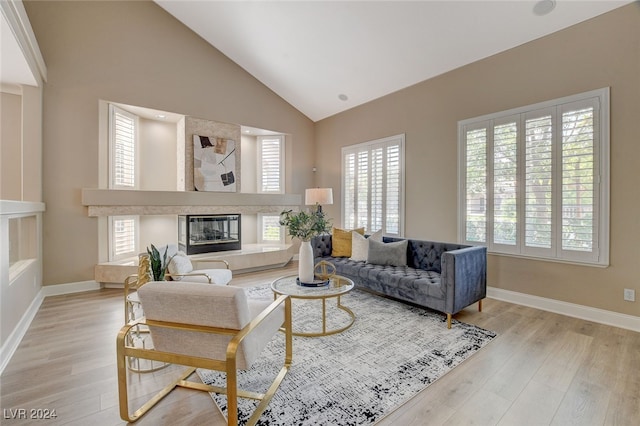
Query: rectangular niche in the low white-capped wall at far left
{"x": 23, "y": 242}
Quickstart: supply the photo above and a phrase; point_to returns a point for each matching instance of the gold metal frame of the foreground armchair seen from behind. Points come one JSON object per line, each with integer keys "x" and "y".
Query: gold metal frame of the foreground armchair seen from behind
{"x": 228, "y": 366}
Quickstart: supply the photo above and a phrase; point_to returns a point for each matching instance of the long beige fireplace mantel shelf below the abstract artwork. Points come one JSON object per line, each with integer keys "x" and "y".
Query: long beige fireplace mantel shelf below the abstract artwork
{"x": 112, "y": 202}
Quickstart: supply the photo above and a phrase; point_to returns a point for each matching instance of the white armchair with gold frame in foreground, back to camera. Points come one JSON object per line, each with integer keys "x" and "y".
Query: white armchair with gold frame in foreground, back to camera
{"x": 204, "y": 326}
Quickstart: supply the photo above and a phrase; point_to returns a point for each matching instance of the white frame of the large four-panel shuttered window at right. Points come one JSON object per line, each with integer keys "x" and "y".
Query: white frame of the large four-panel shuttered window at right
{"x": 599, "y": 255}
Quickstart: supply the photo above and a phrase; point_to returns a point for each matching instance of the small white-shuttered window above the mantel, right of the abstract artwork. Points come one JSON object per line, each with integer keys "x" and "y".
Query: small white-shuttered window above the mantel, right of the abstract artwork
{"x": 271, "y": 164}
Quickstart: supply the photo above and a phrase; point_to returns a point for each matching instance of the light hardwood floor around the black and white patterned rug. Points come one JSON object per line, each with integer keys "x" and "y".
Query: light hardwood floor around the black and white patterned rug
{"x": 542, "y": 369}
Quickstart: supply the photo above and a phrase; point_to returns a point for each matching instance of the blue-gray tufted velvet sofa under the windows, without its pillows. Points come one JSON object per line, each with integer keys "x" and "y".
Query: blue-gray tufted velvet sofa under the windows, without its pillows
{"x": 440, "y": 276}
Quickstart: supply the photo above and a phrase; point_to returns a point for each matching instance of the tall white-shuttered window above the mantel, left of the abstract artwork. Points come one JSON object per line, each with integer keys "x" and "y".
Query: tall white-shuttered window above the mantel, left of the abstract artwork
{"x": 123, "y": 129}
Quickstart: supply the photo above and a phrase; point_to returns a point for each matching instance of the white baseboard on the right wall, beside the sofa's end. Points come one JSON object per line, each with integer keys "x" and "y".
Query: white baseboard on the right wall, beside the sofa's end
{"x": 601, "y": 316}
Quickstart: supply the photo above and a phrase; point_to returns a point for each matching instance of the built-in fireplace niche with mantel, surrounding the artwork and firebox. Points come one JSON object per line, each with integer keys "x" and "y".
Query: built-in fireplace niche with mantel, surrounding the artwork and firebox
{"x": 165, "y": 172}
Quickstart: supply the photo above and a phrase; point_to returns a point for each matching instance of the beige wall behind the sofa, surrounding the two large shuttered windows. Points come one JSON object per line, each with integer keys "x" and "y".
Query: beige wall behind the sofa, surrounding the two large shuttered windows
{"x": 601, "y": 52}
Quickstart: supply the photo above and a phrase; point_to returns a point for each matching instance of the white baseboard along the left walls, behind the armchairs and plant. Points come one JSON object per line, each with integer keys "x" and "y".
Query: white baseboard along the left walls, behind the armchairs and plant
{"x": 11, "y": 344}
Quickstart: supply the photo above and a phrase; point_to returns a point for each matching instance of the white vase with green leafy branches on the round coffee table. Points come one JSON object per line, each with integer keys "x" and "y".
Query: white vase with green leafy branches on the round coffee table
{"x": 304, "y": 226}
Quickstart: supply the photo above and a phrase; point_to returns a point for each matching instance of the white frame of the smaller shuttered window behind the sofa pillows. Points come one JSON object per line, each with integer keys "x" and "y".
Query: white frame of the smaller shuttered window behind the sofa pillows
{"x": 367, "y": 147}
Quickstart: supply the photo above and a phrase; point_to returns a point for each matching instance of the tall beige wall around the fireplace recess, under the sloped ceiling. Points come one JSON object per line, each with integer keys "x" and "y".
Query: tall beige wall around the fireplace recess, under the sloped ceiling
{"x": 137, "y": 54}
